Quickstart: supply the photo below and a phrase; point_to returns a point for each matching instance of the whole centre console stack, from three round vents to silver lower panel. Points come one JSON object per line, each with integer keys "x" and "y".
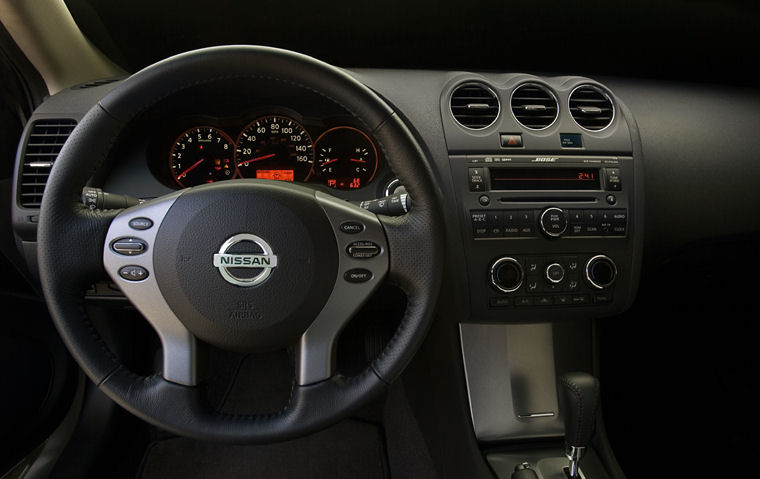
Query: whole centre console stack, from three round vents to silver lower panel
{"x": 547, "y": 174}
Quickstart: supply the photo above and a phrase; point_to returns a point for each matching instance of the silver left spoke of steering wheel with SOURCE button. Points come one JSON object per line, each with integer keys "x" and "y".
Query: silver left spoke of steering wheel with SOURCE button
{"x": 128, "y": 259}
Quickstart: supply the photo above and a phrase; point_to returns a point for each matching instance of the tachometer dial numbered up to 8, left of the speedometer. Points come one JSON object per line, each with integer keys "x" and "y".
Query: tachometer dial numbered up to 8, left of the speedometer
{"x": 202, "y": 155}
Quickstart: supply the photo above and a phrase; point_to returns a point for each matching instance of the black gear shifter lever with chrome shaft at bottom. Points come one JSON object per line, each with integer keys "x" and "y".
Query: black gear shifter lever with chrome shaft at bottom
{"x": 579, "y": 401}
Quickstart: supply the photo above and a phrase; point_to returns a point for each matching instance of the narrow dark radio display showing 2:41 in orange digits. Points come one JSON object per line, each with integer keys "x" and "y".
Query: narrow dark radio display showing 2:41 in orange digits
{"x": 545, "y": 179}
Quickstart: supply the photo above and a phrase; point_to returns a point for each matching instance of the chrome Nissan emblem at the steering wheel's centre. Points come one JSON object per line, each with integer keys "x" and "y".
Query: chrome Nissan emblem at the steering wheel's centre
{"x": 265, "y": 260}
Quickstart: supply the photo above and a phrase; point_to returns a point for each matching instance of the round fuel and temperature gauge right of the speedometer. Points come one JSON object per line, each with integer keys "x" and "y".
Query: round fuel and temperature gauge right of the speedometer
{"x": 346, "y": 158}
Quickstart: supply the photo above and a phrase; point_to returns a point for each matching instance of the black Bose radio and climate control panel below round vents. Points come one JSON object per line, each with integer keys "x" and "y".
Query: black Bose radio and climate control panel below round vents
{"x": 547, "y": 237}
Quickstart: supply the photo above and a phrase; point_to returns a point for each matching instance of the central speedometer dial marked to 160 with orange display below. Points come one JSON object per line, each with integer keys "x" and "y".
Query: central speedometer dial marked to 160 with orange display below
{"x": 275, "y": 148}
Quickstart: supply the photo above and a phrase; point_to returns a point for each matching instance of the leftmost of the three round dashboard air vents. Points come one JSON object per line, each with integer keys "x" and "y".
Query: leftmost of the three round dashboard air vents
{"x": 474, "y": 106}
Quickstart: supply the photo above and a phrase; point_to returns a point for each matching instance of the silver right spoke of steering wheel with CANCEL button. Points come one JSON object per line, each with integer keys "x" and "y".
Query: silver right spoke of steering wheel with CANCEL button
{"x": 362, "y": 266}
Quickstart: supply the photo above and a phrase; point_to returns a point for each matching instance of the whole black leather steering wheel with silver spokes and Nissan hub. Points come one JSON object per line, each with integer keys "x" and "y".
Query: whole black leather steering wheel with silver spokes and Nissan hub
{"x": 283, "y": 265}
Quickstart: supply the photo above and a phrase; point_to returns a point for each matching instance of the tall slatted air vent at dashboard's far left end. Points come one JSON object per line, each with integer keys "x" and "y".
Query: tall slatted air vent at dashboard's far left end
{"x": 45, "y": 142}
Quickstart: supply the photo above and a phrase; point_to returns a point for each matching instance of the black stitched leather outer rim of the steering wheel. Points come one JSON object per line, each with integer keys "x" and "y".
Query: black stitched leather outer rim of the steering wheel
{"x": 71, "y": 242}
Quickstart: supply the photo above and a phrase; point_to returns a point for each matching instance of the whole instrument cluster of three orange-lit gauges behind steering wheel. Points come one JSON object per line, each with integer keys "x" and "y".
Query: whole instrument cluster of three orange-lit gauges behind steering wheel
{"x": 274, "y": 147}
